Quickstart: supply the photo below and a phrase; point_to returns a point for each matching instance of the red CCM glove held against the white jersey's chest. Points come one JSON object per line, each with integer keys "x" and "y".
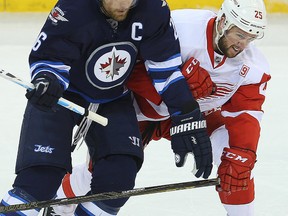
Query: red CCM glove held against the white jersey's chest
{"x": 198, "y": 79}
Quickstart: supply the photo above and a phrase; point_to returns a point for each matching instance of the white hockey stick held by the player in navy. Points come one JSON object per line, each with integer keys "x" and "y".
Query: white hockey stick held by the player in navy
{"x": 63, "y": 102}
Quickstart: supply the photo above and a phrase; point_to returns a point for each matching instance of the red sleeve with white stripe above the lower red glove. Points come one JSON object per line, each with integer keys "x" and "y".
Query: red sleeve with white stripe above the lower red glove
{"x": 243, "y": 113}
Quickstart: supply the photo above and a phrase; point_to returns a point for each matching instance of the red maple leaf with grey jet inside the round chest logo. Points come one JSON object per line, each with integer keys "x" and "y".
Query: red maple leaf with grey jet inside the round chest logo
{"x": 114, "y": 64}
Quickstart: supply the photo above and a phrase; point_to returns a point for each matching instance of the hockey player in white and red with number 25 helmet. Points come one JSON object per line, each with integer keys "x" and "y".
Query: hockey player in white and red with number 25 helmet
{"x": 223, "y": 45}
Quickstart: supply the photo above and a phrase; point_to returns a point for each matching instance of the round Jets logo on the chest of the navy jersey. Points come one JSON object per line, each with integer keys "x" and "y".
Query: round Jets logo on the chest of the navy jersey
{"x": 110, "y": 65}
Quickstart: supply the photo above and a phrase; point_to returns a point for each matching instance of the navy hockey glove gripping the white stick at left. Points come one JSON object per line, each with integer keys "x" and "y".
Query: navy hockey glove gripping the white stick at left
{"x": 47, "y": 92}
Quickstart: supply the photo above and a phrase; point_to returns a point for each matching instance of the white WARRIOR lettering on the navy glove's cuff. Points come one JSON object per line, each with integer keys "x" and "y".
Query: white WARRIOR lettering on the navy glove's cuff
{"x": 189, "y": 126}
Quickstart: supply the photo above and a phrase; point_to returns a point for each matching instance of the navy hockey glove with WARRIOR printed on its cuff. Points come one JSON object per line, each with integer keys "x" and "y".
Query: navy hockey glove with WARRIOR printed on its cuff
{"x": 189, "y": 135}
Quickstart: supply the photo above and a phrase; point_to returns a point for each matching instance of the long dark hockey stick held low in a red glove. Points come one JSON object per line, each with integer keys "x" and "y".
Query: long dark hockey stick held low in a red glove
{"x": 111, "y": 195}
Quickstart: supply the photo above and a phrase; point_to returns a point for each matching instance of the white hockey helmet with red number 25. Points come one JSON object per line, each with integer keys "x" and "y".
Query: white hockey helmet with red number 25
{"x": 248, "y": 15}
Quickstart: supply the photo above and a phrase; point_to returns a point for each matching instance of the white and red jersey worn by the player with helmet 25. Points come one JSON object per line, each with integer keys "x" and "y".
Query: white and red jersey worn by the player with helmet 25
{"x": 241, "y": 81}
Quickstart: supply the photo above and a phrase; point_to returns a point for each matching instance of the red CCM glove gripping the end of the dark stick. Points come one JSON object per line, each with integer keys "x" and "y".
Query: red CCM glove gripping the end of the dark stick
{"x": 235, "y": 169}
